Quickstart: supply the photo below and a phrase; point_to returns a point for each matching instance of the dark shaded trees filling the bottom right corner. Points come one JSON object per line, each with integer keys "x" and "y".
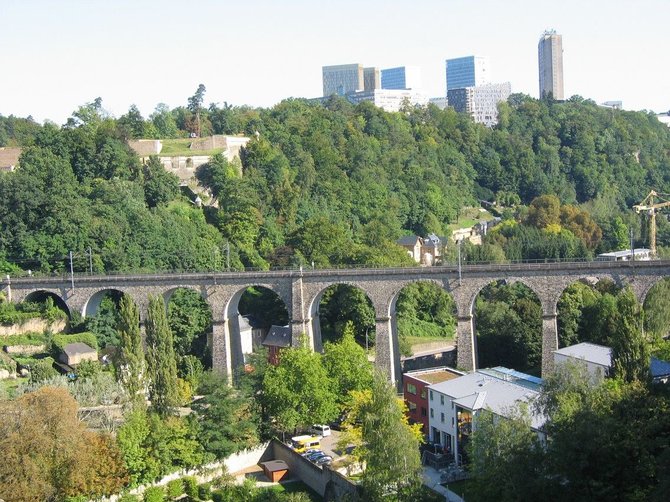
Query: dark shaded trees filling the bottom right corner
{"x": 606, "y": 441}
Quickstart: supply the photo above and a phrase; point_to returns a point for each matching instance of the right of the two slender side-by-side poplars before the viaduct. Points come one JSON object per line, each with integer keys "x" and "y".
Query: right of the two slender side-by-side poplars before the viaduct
{"x": 161, "y": 360}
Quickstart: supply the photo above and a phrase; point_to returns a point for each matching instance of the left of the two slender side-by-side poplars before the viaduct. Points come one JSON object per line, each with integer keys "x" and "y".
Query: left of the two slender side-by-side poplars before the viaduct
{"x": 130, "y": 364}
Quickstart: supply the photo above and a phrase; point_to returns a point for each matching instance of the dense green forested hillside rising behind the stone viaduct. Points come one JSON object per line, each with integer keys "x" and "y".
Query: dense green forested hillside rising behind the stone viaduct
{"x": 329, "y": 184}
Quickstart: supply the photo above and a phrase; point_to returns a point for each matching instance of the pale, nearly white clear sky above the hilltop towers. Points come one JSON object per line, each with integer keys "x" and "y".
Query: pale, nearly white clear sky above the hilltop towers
{"x": 59, "y": 54}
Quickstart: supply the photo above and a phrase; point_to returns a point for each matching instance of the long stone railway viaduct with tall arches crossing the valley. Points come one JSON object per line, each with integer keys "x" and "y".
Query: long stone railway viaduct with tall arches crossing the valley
{"x": 301, "y": 291}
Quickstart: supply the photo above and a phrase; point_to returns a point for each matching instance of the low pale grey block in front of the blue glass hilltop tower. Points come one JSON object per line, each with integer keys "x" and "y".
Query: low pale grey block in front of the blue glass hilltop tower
{"x": 480, "y": 102}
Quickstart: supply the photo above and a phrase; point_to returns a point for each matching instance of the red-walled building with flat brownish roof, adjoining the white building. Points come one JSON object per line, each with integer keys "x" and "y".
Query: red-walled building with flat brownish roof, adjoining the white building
{"x": 415, "y": 392}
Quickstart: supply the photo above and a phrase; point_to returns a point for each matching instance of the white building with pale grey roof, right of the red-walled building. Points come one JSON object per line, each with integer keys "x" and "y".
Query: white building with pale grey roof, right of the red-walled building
{"x": 453, "y": 405}
